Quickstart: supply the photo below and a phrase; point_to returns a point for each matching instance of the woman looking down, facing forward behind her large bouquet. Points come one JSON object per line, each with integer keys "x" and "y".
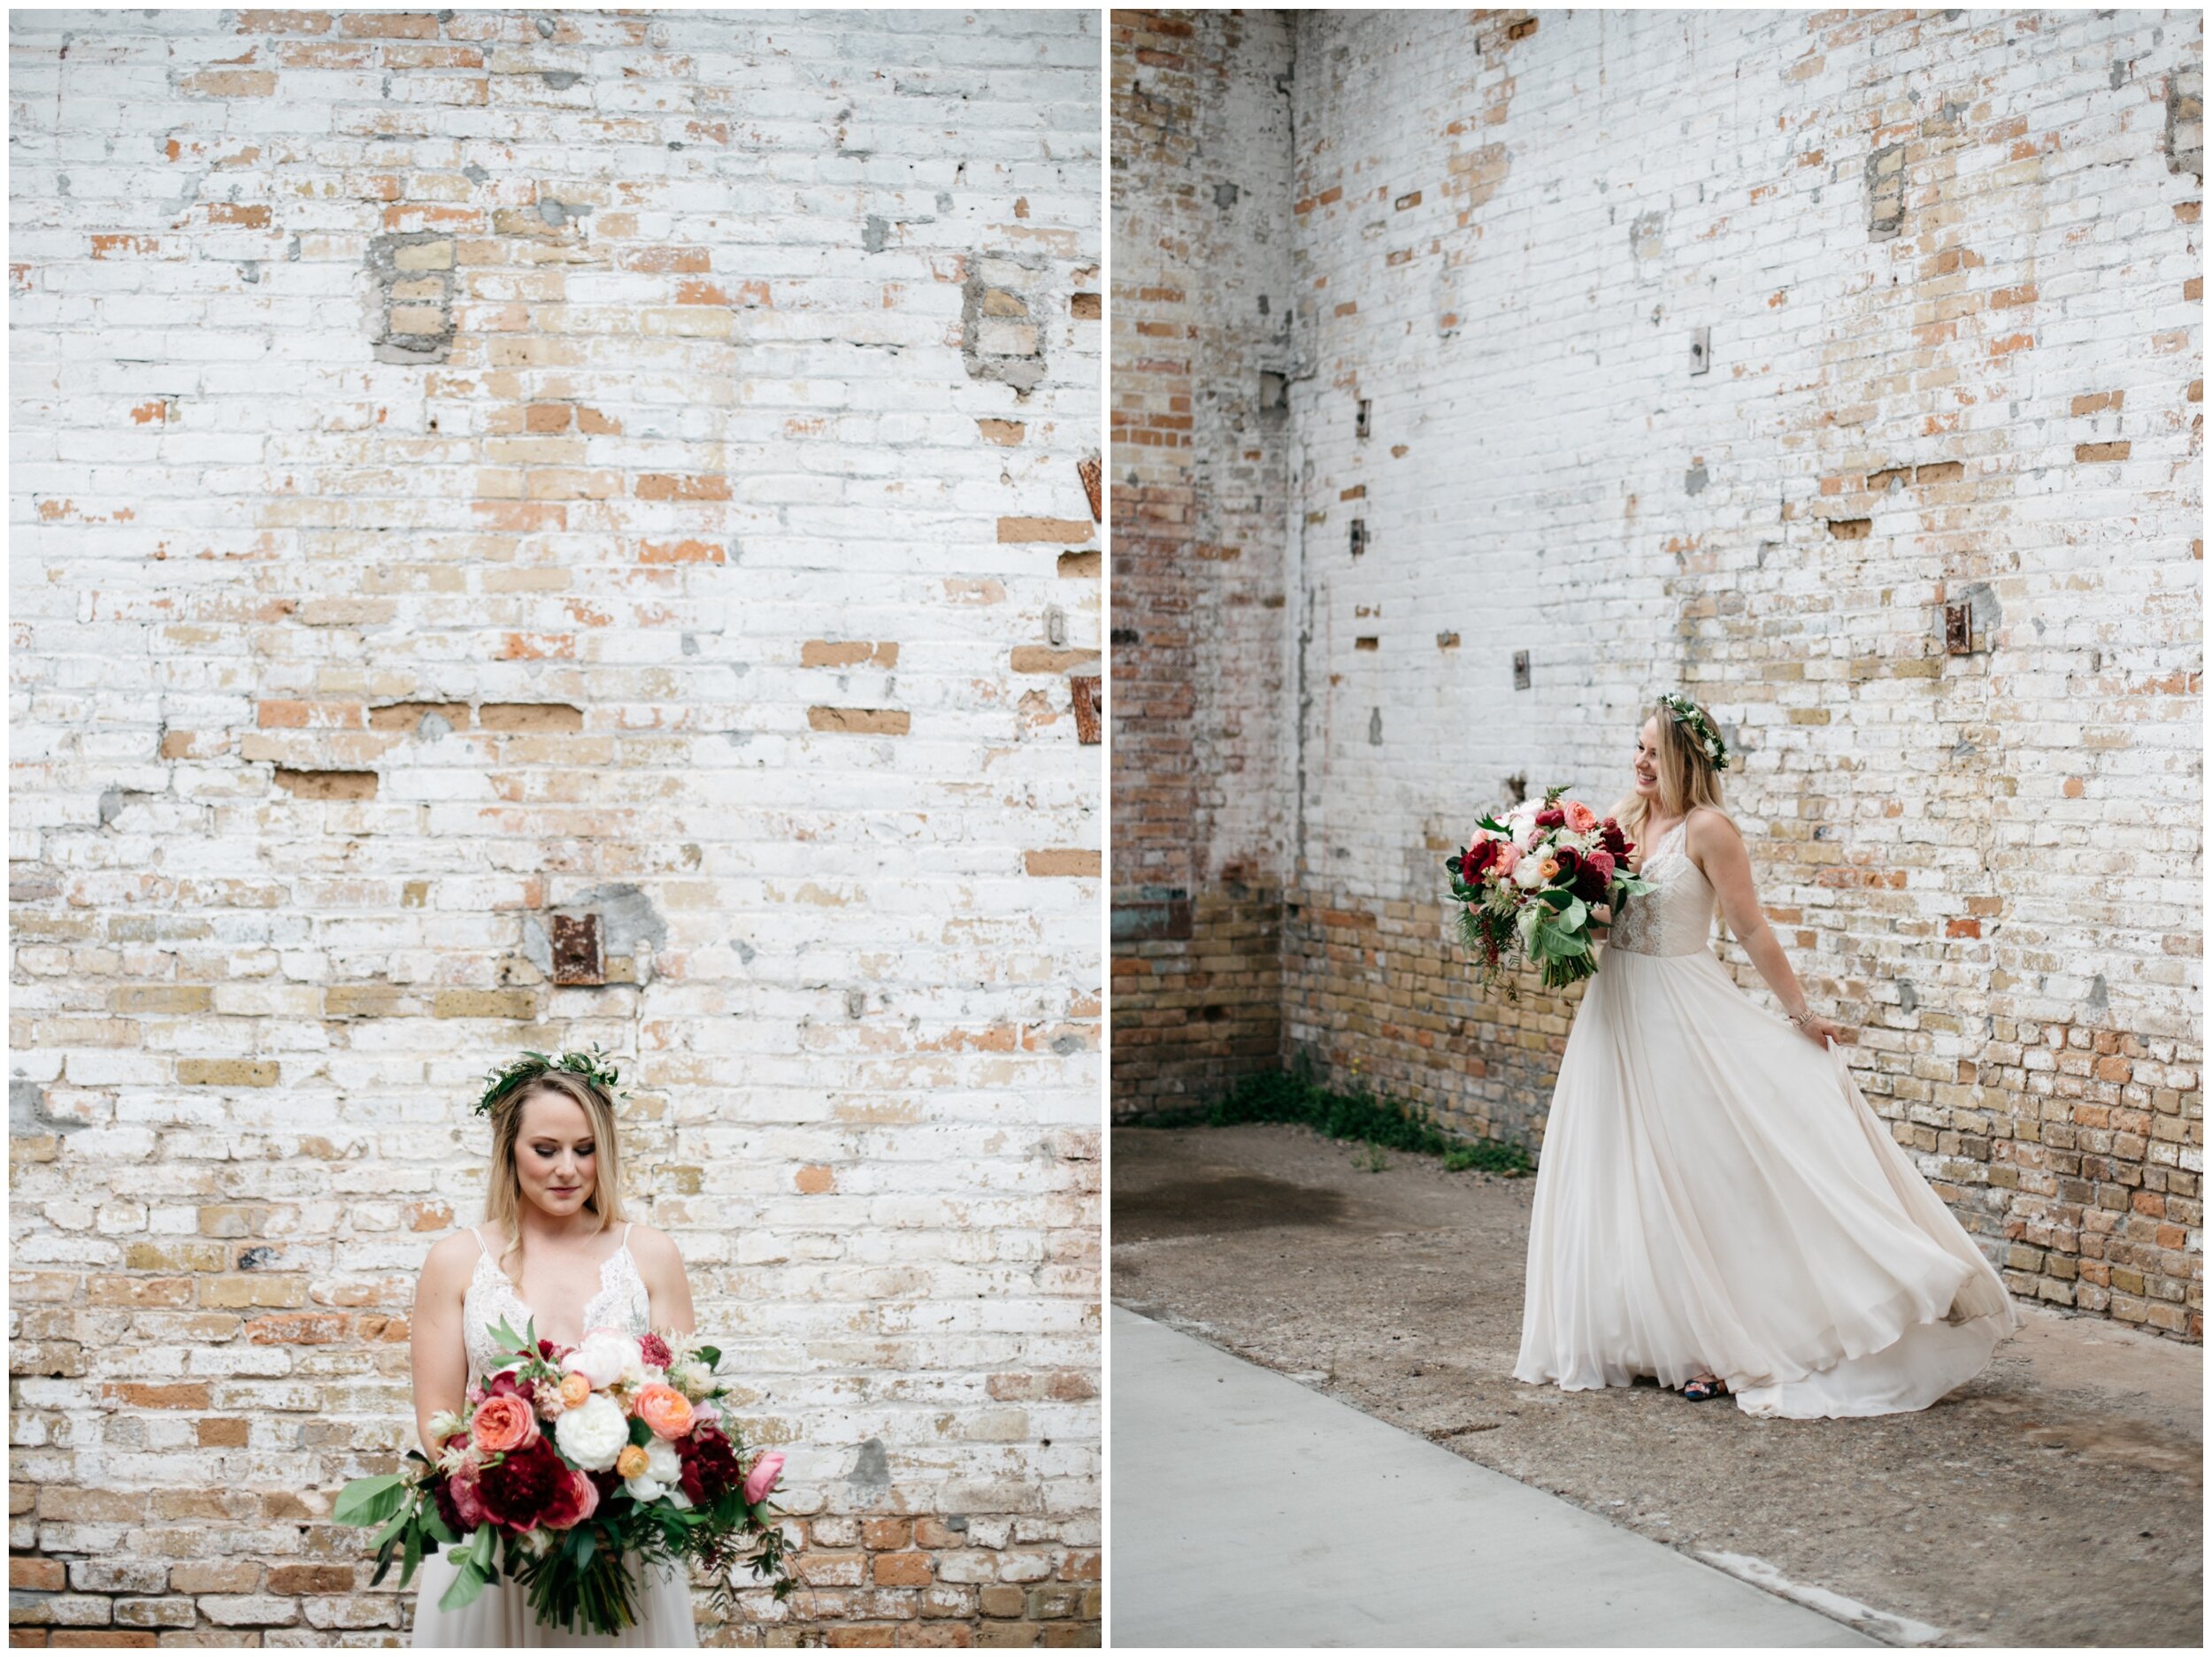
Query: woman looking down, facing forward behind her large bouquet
{"x": 550, "y": 1249}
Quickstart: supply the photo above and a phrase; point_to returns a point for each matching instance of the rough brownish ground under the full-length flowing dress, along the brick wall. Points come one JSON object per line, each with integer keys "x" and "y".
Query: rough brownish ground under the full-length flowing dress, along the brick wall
{"x": 2054, "y": 1501}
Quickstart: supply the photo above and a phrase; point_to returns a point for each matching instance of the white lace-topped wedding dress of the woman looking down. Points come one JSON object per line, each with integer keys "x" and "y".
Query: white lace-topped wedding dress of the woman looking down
{"x": 501, "y": 1614}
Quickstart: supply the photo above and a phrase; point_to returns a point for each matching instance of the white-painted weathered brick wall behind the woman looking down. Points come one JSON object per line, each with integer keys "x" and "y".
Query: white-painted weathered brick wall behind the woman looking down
{"x": 709, "y": 413}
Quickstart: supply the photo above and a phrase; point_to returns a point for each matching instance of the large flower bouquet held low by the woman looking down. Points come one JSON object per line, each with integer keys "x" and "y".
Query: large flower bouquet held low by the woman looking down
{"x": 570, "y": 1459}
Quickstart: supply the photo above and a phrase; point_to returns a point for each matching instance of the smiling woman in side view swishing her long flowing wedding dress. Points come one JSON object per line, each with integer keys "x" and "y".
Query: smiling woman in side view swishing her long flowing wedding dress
{"x": 1718, "y": 1205}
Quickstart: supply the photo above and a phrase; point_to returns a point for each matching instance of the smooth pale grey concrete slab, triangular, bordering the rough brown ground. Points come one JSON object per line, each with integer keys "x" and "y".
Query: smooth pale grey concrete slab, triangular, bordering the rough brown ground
{"x": 1255, "y": 1512}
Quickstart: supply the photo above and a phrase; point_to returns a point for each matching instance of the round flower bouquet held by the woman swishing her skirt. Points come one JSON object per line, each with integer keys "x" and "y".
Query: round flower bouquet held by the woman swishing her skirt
{"x": 1530, "y": 884}
